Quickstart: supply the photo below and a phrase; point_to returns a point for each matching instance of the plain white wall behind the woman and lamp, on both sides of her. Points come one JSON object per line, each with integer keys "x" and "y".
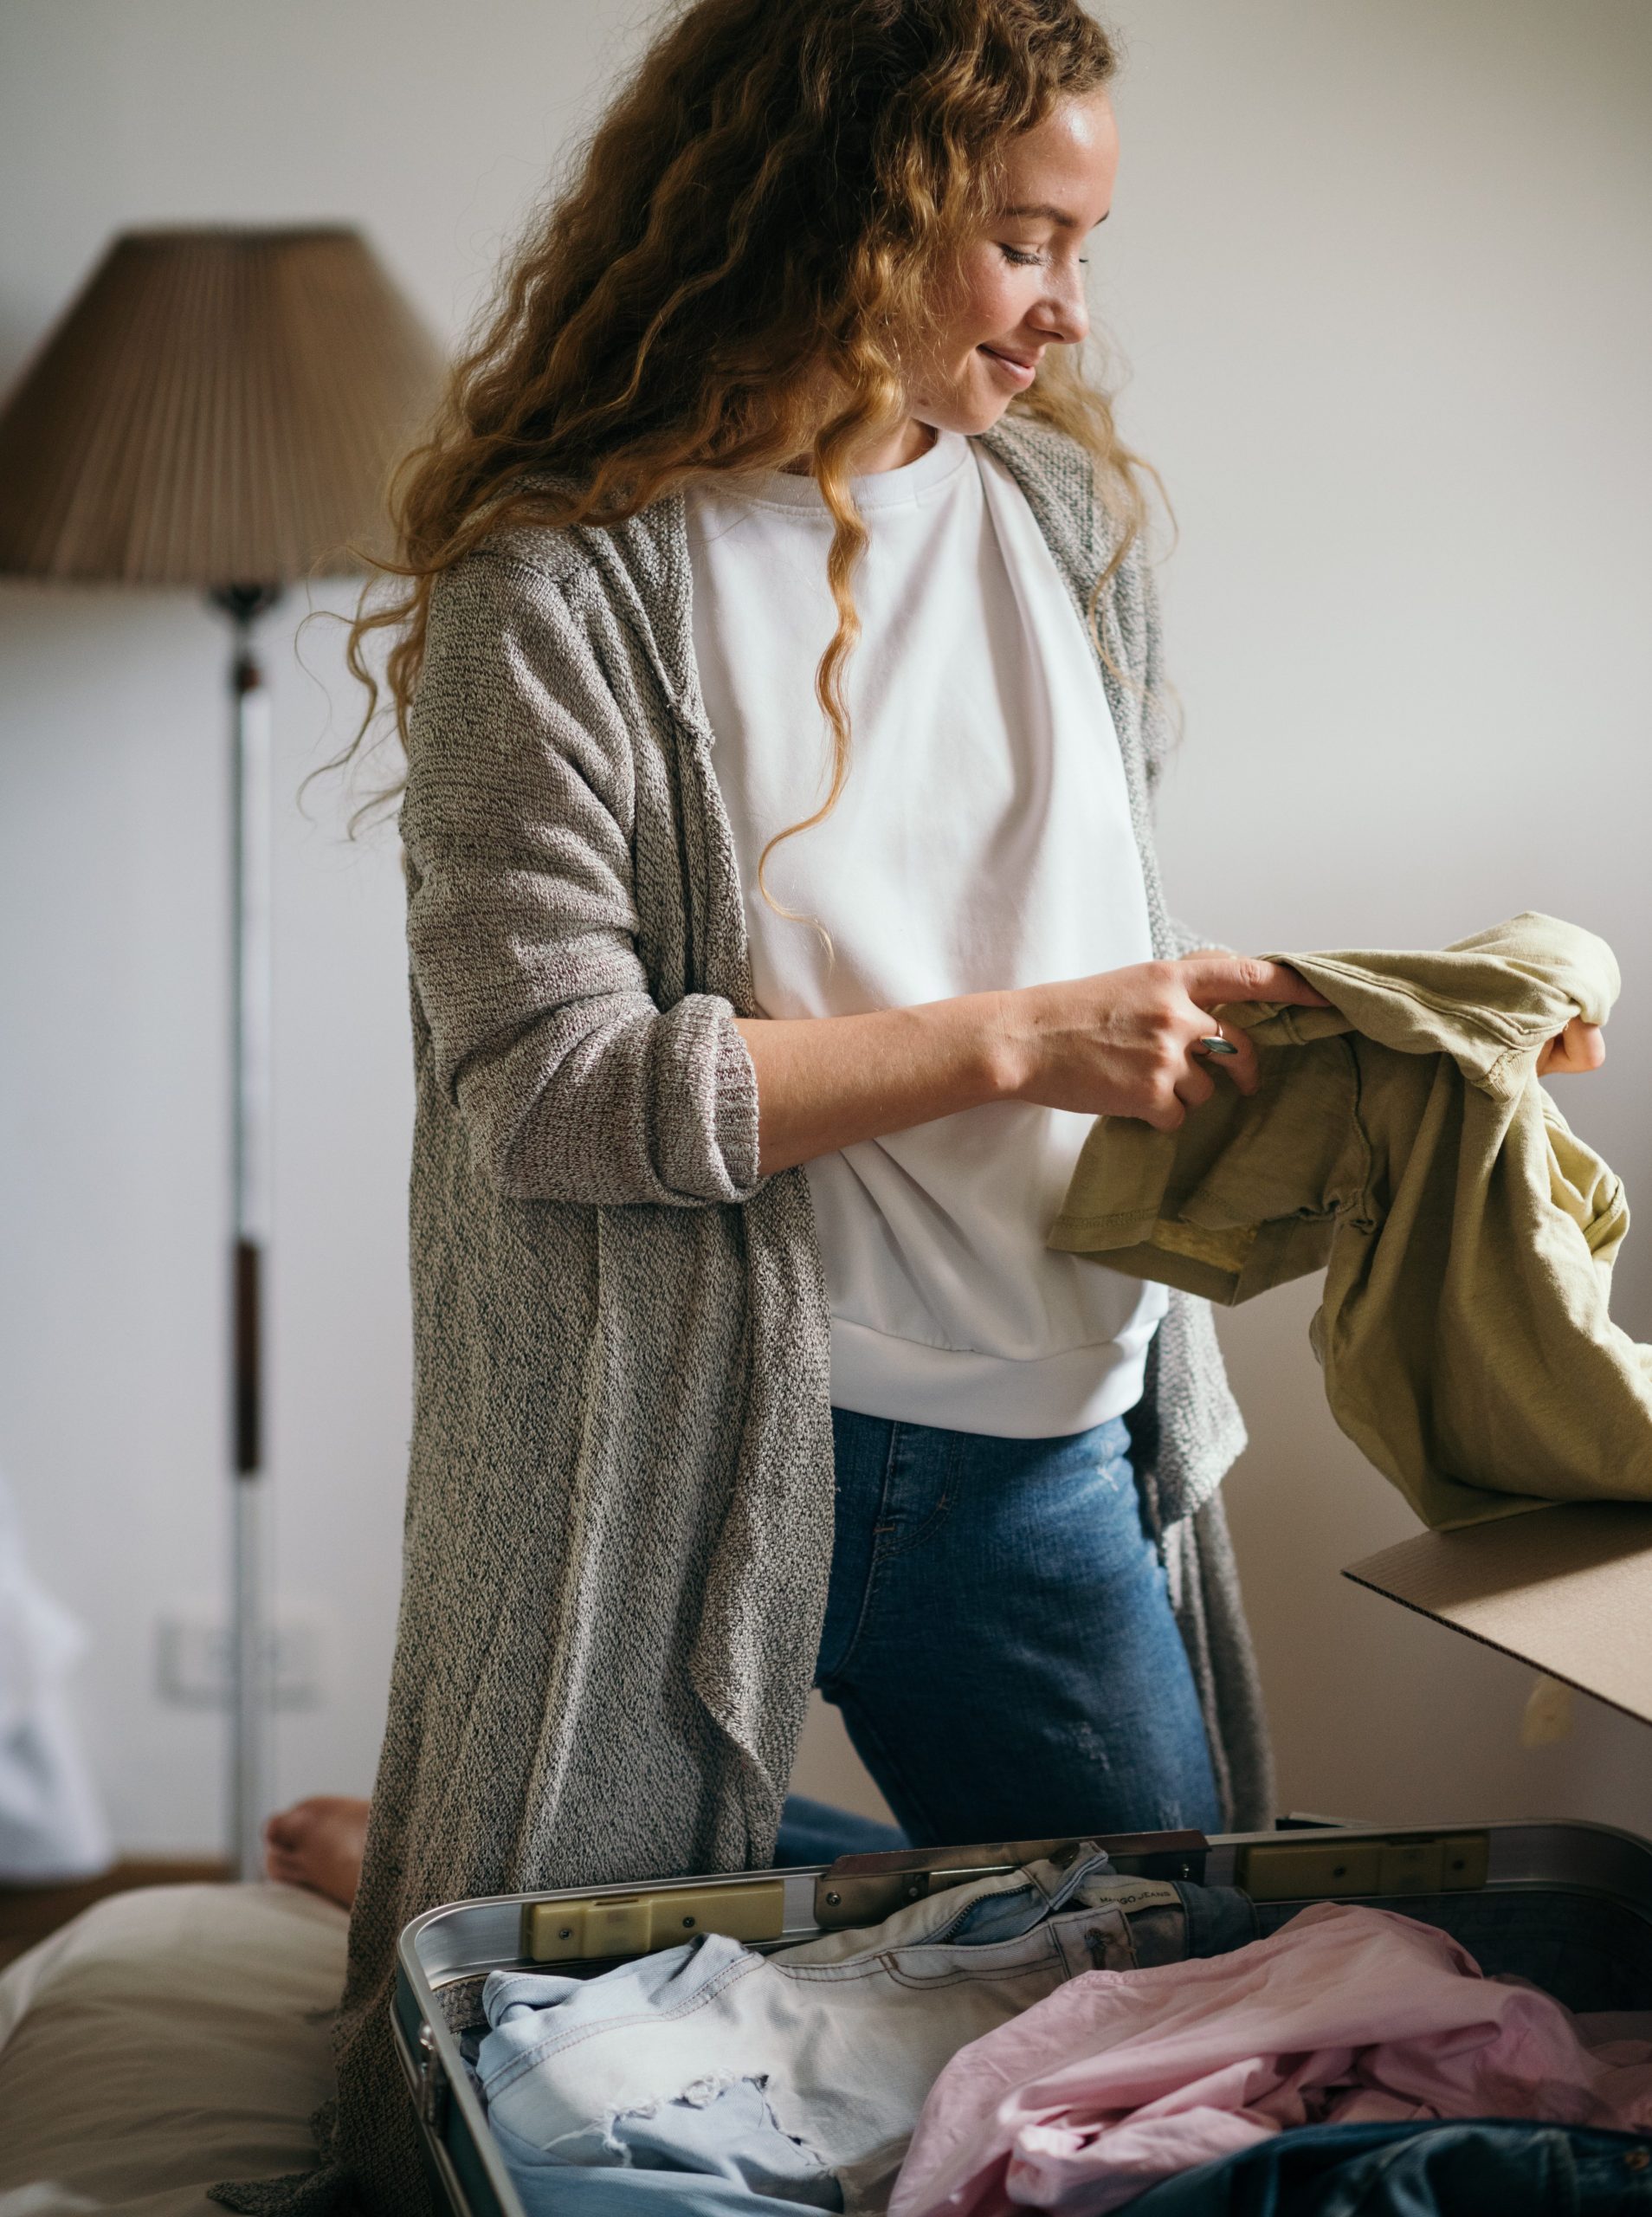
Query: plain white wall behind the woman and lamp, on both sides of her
{"x": 1380, "y": 272}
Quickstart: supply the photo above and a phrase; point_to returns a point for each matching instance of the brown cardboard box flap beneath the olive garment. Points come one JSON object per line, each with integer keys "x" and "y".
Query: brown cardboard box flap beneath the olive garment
{"x": 1564, "y": 1588}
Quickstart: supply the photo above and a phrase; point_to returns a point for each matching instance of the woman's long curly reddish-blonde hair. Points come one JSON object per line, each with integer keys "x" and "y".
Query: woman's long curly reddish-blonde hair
{"x": 735, "y": 280}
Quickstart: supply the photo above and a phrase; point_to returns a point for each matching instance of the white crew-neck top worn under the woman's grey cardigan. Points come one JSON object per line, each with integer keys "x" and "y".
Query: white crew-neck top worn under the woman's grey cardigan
{"x": 983, "y": 841}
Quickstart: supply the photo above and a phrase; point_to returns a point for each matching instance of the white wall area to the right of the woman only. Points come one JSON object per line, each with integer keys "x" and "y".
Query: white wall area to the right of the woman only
{"x": 1383, "y": 280}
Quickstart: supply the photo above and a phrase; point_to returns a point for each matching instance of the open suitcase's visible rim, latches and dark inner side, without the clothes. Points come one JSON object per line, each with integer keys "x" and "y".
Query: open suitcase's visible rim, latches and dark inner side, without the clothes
{"x": 1562, "y": 1906}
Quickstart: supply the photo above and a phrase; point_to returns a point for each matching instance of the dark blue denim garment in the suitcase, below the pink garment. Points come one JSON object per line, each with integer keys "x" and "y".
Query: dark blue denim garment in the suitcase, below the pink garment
{"x": 1480, "y": 2169}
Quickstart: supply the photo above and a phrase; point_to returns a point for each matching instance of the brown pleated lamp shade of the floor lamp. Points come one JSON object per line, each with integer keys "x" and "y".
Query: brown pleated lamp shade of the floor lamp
{"x": 216, "y": 409}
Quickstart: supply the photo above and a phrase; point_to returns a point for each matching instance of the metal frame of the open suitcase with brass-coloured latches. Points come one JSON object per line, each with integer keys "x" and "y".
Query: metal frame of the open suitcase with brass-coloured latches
{"x": 445, "y": 1954}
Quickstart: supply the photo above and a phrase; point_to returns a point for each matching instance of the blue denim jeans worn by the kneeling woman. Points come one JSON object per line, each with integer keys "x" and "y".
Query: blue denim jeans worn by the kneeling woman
{"x": 999, "y": 1637}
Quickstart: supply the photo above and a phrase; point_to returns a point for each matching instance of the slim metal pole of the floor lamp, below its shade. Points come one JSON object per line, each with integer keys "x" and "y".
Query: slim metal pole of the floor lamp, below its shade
{"x": 252, "y": 994}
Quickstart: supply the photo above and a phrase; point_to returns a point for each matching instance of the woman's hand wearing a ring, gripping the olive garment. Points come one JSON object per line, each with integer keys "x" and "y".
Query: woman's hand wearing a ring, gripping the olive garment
{"x": 1125, "y": 1043}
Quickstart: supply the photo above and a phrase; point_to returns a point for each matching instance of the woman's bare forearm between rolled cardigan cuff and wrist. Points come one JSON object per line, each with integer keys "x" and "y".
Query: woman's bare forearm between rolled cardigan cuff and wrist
{"x": 826, "y": 1083}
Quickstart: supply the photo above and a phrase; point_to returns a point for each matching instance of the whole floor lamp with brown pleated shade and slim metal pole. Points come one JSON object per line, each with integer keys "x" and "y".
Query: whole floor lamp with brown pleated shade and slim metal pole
{"x": 223, "y": 409}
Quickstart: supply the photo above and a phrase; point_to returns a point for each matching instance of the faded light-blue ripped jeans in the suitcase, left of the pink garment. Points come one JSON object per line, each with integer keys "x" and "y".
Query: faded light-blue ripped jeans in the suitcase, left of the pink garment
{"x": 802, "y": 2074}
